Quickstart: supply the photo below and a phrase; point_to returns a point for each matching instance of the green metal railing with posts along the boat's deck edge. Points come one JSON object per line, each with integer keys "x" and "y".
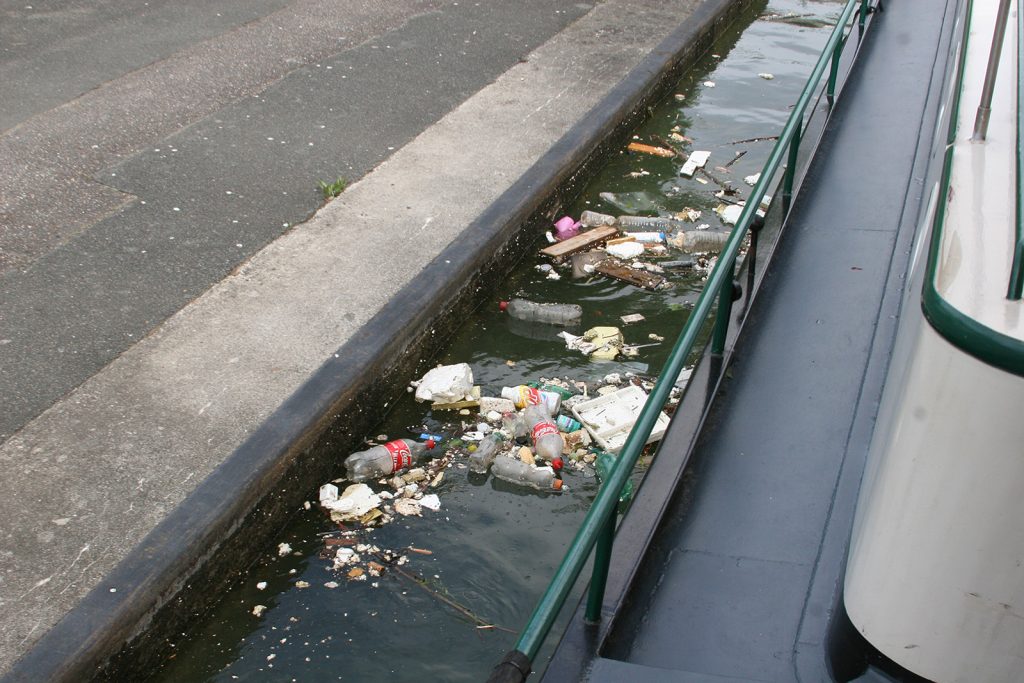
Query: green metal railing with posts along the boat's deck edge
{"x": 599, "y": 528}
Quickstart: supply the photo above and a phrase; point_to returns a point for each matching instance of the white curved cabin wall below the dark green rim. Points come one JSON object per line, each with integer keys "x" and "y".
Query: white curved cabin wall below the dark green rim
{"x": 936, "y": 573}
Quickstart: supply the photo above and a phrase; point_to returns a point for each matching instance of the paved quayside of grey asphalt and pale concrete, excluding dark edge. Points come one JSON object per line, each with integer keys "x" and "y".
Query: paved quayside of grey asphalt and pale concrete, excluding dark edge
{"x": 162, "y": 291}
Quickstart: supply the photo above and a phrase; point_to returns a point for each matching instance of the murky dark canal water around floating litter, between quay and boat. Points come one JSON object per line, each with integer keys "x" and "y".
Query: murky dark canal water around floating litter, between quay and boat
{"x": 494, "y": 546}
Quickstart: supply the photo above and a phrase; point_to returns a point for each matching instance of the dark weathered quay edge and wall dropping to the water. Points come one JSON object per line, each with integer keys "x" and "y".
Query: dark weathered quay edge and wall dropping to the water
{"x": 203, "y": 546}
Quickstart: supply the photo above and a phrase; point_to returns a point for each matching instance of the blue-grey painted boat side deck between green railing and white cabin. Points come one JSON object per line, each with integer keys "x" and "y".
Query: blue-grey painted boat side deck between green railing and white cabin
{"x": 744, "y": 576}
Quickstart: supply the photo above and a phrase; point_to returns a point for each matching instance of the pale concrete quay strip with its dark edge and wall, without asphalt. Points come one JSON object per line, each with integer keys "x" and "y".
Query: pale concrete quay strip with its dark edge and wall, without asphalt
{"x": 133, "y": 499}
